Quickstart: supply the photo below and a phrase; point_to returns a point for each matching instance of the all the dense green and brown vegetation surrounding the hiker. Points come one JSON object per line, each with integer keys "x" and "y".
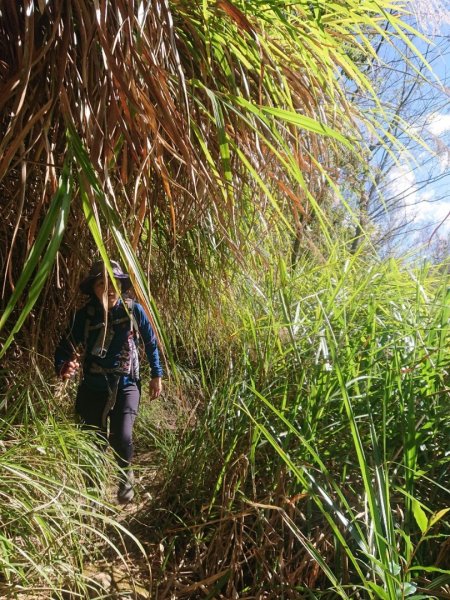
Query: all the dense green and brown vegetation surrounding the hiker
{"x": 301, "y": 447}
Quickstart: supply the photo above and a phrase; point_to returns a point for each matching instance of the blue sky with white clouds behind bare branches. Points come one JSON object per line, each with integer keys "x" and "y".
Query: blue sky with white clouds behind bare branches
{"x": 421, "y": 180}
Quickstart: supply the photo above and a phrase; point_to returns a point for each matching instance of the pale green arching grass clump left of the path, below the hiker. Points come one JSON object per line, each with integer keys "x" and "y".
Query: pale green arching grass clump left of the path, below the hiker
{"x": 55, "y": 516}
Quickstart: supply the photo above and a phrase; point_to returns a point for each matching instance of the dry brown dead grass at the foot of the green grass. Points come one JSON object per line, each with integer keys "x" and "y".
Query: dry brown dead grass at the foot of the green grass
{"x": 243, "y": 548}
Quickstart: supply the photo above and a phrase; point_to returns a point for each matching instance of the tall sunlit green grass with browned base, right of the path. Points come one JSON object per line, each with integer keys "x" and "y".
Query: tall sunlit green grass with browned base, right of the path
{"x": 323, "y": 445}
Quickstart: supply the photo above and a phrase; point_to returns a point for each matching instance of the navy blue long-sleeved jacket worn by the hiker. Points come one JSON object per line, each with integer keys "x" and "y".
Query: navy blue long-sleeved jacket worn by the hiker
{"x": 109, "y": 350}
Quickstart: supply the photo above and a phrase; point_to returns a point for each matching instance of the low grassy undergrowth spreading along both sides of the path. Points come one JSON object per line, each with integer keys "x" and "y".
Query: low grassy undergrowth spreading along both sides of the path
{"x": 301, "y": 453}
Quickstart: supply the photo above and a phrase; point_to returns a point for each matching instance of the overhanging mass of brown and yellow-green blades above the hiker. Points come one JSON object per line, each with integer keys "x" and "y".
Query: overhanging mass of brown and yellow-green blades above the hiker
{"x": 188, "y": 110}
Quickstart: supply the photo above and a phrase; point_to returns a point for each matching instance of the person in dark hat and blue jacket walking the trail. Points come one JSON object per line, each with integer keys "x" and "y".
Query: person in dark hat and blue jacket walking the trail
{"x": 102, "y": 339}
